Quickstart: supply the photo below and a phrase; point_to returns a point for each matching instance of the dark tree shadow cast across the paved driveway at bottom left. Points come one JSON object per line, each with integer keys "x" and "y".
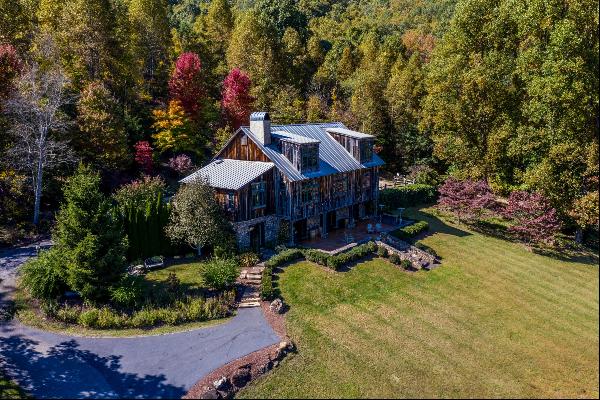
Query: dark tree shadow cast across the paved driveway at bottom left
{"x": 66, "y": 371}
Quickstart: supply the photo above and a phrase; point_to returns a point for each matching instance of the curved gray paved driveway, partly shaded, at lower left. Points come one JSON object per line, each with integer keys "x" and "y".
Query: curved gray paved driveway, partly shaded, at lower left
{"x": 54, "y": 365}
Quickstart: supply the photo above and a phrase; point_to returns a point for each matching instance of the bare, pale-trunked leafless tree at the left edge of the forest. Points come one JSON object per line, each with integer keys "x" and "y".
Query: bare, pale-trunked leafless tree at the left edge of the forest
{"x": 37, "y": 117}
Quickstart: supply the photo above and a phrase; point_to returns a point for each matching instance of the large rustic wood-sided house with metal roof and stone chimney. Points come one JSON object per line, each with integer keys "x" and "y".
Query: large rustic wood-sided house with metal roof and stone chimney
{"x": 293, "y": 182}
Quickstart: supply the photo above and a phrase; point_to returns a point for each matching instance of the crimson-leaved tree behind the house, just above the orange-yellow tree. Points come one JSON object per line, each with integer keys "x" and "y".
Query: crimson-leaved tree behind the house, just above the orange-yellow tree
{"x": 185, "y": 84}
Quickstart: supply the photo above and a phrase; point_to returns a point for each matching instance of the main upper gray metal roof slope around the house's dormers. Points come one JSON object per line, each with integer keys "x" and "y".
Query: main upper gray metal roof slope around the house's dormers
{"x": 333, "y": 157}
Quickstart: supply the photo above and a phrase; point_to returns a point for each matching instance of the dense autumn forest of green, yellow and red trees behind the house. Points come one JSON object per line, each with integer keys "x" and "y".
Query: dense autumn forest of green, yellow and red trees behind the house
{"x": 504, "y": 91}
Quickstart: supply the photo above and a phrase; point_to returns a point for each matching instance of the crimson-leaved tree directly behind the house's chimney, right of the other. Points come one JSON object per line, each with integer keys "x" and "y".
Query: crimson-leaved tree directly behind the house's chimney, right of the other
{"x": 237, "y": 101}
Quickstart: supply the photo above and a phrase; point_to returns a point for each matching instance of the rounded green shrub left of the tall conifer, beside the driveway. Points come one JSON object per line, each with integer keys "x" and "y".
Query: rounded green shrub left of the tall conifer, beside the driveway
{"x": 45, "y": 276}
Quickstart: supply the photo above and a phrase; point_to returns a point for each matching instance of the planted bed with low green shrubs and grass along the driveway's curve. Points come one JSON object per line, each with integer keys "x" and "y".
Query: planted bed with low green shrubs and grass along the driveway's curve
{"x": 174, "y": 298}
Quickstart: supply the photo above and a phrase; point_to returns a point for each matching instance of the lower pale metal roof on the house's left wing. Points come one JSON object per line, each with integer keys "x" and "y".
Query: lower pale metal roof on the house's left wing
{"x": 230, "y": 174}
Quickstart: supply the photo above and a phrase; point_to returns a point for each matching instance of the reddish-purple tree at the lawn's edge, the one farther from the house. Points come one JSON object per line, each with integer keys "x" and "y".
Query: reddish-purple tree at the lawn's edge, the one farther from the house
{"x": 535, "y": 220}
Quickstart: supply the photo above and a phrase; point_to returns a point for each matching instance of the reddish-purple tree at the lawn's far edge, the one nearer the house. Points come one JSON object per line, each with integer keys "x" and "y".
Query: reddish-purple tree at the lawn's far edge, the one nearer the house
{"x": 466, "y": 199}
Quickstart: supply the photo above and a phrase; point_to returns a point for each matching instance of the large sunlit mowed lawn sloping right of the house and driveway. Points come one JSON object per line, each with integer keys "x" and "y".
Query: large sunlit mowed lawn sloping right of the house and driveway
{"x": 496, "y": 320}
